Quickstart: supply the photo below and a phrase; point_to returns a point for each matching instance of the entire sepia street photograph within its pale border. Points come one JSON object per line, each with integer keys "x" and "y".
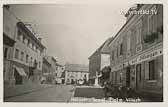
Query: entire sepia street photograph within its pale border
{"x": 83, "y": 53}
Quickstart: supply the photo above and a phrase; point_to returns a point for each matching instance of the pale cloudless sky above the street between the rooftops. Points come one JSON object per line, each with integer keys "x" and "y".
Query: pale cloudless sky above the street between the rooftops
{"x": 72, "y": 32}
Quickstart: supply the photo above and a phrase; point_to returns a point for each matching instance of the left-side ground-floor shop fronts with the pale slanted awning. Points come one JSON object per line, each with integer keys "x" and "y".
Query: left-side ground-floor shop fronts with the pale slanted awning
{"x": 16, "y": 74}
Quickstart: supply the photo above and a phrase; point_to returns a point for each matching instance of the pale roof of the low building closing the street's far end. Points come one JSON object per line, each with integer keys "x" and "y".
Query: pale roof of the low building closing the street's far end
{"x": 76, "y": 67}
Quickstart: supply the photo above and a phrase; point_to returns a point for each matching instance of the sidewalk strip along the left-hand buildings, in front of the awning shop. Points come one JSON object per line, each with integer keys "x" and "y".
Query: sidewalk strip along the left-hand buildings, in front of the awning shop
{"x": 23, "y": 89}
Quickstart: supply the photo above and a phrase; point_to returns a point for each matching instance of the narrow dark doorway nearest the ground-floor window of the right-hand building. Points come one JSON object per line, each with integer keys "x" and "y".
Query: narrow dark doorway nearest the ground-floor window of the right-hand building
{"x": 138, "y": 76}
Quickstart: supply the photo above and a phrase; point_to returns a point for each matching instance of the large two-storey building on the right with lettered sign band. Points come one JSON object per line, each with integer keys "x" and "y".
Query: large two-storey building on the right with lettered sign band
{"x": 136, "y": 52}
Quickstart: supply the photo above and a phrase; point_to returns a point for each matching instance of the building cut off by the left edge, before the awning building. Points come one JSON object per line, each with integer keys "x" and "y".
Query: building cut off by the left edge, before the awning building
{"x": 9, "y": 22}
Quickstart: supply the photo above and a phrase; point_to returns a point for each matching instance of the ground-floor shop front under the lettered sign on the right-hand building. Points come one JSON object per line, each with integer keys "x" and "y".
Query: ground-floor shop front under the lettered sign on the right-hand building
{"x": 144, "y": 73}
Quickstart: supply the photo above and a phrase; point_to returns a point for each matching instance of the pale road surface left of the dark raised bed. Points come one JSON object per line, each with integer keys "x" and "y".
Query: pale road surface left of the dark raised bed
{"x": 57, "y": 93}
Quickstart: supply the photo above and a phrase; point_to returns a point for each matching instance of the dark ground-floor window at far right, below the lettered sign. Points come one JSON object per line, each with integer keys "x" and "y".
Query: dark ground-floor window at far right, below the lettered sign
{"x": 152, "y": 70}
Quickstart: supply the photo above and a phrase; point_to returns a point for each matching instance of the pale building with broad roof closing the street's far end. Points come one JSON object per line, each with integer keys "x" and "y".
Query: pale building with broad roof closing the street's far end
{"x": 76, "y": 73}
